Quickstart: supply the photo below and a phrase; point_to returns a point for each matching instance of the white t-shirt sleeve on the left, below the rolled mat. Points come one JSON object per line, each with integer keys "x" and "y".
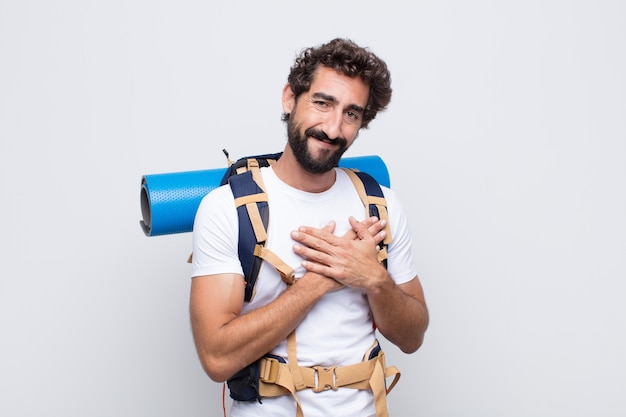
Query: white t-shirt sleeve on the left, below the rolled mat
{"x": 215, "y": 235}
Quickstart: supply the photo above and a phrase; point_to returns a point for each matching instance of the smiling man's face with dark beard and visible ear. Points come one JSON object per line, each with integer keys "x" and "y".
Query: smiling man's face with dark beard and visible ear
{"x": 326, "y": 120}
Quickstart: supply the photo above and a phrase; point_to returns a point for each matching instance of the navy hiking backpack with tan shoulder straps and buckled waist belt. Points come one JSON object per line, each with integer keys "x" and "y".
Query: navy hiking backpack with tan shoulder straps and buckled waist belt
{"x": 259, "y": 378}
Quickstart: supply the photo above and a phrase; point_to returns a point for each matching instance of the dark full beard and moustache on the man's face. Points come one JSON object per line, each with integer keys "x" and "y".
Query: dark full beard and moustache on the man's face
{"x": 327, "y": 160}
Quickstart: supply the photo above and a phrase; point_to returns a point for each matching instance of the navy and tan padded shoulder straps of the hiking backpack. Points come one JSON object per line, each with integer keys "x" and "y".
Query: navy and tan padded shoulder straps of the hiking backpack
{"x": 247, "y": 186}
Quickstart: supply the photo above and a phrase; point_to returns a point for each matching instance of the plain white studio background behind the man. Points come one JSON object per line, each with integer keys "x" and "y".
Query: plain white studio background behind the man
{"x": 505, "y": 138}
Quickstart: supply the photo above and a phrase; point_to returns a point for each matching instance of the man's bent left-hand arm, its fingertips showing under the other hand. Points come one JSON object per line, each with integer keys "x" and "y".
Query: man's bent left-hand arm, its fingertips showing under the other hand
{"x": 226, "y": 340}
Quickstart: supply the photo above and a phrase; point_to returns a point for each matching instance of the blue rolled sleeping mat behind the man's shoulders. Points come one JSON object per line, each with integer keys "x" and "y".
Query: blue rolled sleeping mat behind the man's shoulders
{"x": 169, "y": 201}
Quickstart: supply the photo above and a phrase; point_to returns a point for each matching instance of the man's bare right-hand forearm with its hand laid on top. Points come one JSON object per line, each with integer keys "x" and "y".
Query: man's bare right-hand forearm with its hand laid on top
{"x": 399, "y": 311}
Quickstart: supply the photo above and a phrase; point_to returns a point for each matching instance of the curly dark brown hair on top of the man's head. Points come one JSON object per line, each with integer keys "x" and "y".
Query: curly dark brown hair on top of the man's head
{"x": 349, "y": 59}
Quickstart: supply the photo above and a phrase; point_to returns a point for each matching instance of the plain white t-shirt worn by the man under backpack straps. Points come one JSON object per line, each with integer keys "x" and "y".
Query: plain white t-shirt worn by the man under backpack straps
{"x": 338, "y": 330}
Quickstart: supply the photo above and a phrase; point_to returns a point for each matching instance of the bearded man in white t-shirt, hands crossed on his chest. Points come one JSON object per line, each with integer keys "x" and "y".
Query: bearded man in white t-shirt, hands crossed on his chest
{"x": 342, "y": 293}
